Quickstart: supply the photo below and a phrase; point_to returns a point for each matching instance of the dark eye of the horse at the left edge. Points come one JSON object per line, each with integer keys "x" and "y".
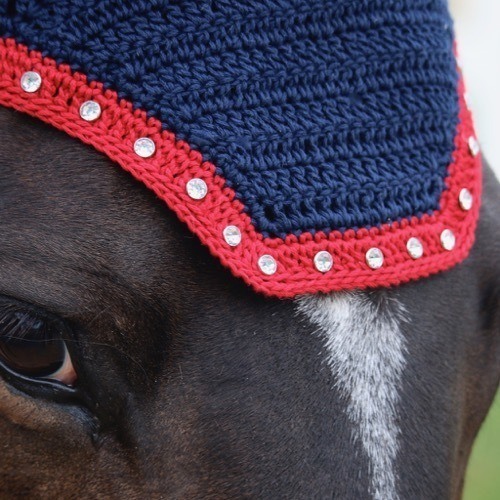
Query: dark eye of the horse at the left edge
{"x": 32, "y": 346}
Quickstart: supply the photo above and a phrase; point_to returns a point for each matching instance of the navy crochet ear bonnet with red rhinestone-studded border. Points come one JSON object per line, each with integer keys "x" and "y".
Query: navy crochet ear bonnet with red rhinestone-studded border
{"x": 311, "y": 145}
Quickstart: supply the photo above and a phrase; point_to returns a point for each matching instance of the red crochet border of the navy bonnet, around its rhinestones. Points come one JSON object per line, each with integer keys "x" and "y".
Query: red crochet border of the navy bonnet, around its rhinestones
{"x": 174, "y": 163}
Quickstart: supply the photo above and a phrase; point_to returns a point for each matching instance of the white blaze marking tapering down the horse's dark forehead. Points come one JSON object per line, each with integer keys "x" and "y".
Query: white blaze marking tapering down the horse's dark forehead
{"x": 365, "y": 351}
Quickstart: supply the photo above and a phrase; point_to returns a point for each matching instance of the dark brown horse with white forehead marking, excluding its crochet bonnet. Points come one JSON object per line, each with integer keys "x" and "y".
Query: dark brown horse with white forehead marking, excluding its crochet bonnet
{"x": 134, "y": 364}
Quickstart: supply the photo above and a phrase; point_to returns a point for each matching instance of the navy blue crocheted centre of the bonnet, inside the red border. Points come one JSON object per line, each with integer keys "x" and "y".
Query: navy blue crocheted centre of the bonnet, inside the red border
{"x": 322, "y": 115}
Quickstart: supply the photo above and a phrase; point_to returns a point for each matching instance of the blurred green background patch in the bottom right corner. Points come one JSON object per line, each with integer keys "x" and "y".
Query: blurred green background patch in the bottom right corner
{"x": 483, "y": 476}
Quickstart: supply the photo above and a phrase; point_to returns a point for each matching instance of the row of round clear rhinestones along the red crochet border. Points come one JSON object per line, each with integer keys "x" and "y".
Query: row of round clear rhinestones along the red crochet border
{"x": 197, "y": 189}
